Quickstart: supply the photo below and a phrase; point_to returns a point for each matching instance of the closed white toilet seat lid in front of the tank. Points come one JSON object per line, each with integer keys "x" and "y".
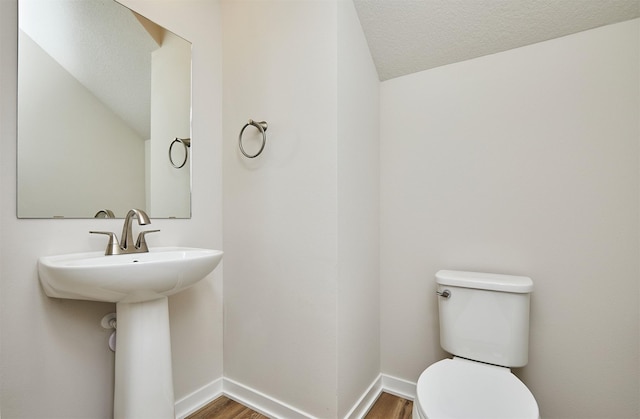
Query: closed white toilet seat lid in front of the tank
{"x": 463, "y": 389}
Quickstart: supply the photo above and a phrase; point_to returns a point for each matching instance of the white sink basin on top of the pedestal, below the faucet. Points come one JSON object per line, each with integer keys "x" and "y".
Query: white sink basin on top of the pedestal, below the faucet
{"x": 130, "y": 278}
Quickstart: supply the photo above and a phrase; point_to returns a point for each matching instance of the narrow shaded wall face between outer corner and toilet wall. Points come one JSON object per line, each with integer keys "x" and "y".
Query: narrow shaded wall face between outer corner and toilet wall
{"x": 358, "y": 157}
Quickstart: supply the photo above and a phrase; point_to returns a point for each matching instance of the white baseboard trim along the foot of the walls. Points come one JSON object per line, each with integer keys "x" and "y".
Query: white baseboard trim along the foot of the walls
{"x": 273, "y": 408}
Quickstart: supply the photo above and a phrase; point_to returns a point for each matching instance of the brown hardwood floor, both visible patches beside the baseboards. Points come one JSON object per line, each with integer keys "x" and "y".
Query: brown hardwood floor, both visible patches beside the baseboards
{"x": 385, "y": 407}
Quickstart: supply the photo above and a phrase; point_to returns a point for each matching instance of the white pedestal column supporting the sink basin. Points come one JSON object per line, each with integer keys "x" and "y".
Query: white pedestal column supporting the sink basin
{"x": 143, "y": 379}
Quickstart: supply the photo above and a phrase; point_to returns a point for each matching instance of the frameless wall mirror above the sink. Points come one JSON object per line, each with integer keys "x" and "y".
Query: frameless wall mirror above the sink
{"x": 103, "y": 93}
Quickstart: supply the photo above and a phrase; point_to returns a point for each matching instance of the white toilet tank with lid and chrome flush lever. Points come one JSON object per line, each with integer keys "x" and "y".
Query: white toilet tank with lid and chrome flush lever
{"x": 485, "y": 317}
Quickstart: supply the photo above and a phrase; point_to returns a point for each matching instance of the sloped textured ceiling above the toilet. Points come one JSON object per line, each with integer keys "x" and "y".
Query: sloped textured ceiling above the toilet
{"x": 407, "y": 36}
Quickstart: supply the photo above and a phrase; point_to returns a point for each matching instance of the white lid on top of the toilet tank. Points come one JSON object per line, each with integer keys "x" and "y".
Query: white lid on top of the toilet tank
{"x": 485, "y": 281}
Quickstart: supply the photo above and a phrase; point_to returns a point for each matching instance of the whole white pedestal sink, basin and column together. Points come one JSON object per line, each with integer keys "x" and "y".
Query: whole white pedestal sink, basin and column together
{"x": 139, "y": 284}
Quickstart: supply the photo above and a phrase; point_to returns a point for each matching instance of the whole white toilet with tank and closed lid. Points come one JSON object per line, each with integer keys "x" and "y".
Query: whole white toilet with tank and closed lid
{"x": 484, "y": 323}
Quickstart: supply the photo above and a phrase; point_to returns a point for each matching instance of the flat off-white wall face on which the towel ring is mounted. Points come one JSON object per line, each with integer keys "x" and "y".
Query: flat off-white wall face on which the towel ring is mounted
{"x": 279, "y": 65}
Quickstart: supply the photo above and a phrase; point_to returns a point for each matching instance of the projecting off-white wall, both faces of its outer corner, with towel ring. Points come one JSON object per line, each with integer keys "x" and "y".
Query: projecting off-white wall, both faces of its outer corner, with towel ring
{"x": 301, "y": 295}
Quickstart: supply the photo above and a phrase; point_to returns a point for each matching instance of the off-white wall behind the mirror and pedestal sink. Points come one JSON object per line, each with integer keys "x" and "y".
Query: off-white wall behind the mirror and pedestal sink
{"x": 54, "y": 358}
